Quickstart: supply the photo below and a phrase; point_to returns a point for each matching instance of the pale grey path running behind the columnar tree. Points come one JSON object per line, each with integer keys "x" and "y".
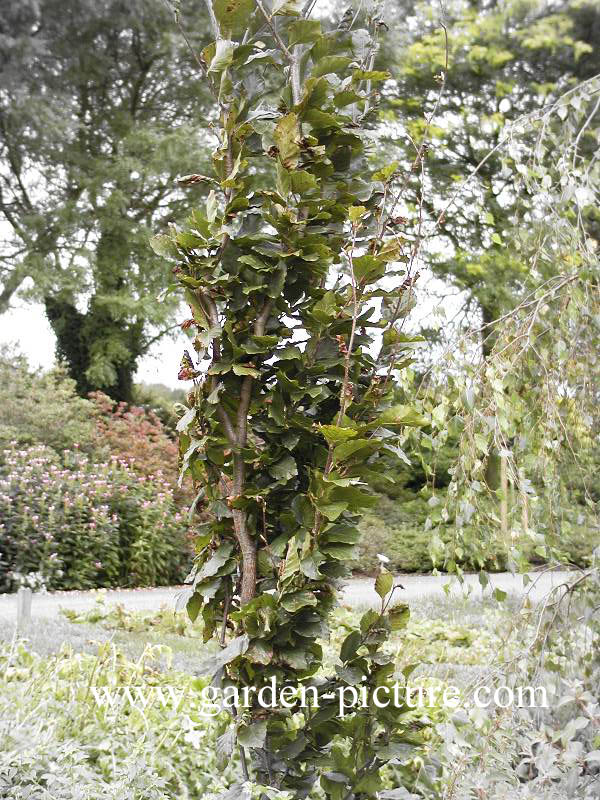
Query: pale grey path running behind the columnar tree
{"x": 358, "y": 592}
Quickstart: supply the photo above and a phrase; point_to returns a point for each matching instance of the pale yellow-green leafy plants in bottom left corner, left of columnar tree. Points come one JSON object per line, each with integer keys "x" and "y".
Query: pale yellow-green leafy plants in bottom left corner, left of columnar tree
{"x": 81, "y": 748}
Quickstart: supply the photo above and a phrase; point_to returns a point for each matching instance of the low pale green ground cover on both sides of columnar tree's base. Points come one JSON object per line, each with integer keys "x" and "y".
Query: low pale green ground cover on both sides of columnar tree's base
{"x": 82, "y": 748}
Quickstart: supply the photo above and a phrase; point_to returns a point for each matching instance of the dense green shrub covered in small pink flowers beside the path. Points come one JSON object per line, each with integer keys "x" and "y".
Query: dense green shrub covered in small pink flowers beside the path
{"x": 77, "y": 524}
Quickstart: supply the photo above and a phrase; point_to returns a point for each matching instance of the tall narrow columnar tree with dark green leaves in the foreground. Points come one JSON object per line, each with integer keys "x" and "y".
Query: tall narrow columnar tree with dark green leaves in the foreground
{"x": 291, "y": 415}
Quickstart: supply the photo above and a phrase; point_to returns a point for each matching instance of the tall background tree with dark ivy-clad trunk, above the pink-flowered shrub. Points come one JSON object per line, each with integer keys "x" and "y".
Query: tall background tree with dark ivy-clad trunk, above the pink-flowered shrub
{"x": 98, "y": 115}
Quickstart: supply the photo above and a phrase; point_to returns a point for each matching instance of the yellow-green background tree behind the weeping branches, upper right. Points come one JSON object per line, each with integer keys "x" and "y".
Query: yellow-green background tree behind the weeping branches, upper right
{"x": 505, "y": 61}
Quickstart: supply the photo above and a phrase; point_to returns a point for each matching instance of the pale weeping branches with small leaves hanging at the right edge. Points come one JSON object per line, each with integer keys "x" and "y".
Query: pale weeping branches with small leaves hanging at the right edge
{"x": 534, "y": 400}
